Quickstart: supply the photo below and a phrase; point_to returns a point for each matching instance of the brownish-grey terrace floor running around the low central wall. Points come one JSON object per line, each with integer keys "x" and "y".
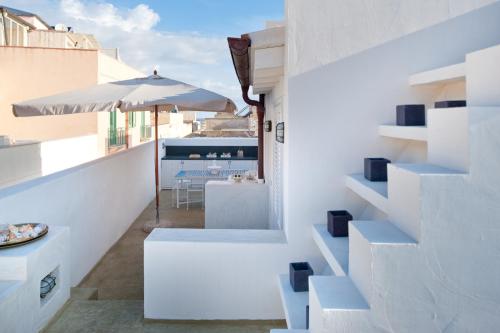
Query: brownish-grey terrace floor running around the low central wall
{"x": 110, "y": 298}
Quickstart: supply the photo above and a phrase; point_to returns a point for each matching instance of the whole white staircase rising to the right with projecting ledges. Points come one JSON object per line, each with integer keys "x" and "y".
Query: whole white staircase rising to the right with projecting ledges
{"x": 432, "y": 266}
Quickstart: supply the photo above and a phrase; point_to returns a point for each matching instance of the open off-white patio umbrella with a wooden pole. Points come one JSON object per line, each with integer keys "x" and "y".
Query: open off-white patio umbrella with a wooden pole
{"x": 153, "y": 93}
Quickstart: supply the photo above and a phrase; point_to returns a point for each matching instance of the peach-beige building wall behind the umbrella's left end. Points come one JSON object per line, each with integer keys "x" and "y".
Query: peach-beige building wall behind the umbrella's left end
{"x": 35, "y": 72}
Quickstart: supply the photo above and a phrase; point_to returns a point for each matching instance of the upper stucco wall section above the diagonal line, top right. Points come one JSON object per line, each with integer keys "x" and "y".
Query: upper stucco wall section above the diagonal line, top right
{"x": 323, "y": 31}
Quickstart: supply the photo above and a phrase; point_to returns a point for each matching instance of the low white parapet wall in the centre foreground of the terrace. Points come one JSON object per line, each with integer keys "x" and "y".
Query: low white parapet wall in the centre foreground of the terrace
{"x": 213, "y": 274}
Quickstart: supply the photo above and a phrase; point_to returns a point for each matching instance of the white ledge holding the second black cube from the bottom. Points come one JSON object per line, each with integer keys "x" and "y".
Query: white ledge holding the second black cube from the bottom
{"x": 334, "y": 249}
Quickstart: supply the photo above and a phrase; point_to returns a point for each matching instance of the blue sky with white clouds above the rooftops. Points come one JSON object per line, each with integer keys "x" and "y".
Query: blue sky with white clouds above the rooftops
{"x": 183, "y": 39}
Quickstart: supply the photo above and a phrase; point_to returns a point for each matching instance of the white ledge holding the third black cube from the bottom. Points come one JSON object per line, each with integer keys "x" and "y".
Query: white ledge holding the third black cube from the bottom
{"x": 373, "y": 192}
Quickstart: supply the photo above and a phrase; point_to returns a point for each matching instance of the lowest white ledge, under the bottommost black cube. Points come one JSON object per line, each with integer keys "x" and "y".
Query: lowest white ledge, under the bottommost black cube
{"x": 294, "y": 303}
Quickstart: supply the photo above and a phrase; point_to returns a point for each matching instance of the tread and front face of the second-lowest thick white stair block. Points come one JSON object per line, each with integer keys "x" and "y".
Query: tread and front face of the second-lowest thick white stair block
{"x": 365, "y": 236}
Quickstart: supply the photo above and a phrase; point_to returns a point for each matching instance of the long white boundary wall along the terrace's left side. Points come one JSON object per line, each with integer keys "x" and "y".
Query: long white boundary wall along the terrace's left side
{"x": 98, "y": 201}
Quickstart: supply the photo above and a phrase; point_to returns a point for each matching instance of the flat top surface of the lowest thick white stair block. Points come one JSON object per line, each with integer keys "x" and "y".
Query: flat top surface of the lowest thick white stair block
{"x": 337, "y": 293}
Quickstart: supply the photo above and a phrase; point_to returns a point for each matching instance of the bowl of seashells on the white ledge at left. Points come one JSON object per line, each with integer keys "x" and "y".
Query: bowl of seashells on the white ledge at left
{"x": 19, "y": 234}
